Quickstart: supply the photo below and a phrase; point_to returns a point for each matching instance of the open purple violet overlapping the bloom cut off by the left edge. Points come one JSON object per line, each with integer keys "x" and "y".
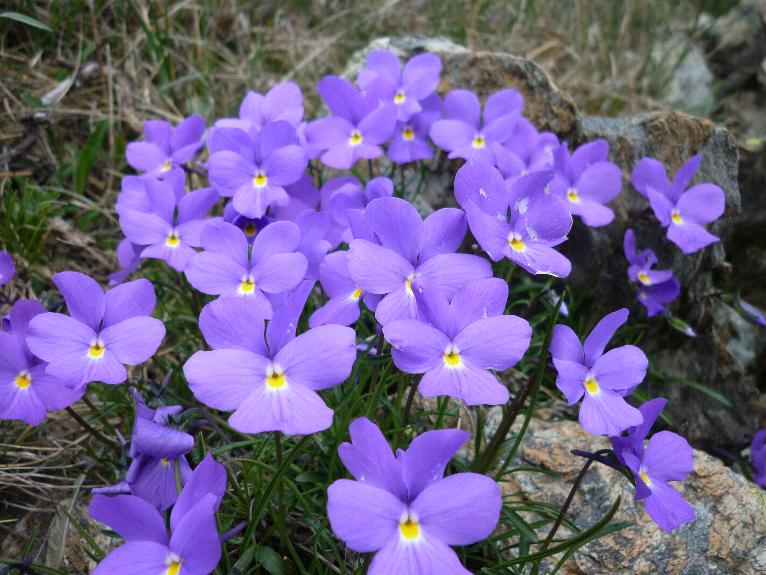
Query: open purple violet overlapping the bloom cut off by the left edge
{"x": 102, "y": 333}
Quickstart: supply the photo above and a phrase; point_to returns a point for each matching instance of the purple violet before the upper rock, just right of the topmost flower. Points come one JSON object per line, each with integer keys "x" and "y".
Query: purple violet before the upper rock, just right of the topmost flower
{"x": 463, "y": 133}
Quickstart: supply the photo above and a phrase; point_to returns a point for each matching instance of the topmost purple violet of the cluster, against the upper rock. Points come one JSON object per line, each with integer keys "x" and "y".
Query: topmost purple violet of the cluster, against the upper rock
{"x": 405, "y": 88}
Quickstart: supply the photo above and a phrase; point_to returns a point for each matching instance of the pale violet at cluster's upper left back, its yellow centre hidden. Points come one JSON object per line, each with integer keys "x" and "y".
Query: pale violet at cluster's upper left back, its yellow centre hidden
{"x": 284, "y": 102}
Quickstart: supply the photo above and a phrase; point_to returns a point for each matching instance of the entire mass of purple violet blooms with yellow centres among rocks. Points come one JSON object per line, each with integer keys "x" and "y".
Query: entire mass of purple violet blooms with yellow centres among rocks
{"x": 279, "y": 227}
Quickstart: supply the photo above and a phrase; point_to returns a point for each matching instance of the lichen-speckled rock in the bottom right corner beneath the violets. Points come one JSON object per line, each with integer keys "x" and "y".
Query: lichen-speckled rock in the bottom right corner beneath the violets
{"x": 728, "y": 535}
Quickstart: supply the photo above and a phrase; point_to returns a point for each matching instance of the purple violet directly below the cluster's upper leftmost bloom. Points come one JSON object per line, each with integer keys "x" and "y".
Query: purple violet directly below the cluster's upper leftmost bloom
{"x": 172, "y": 229}
